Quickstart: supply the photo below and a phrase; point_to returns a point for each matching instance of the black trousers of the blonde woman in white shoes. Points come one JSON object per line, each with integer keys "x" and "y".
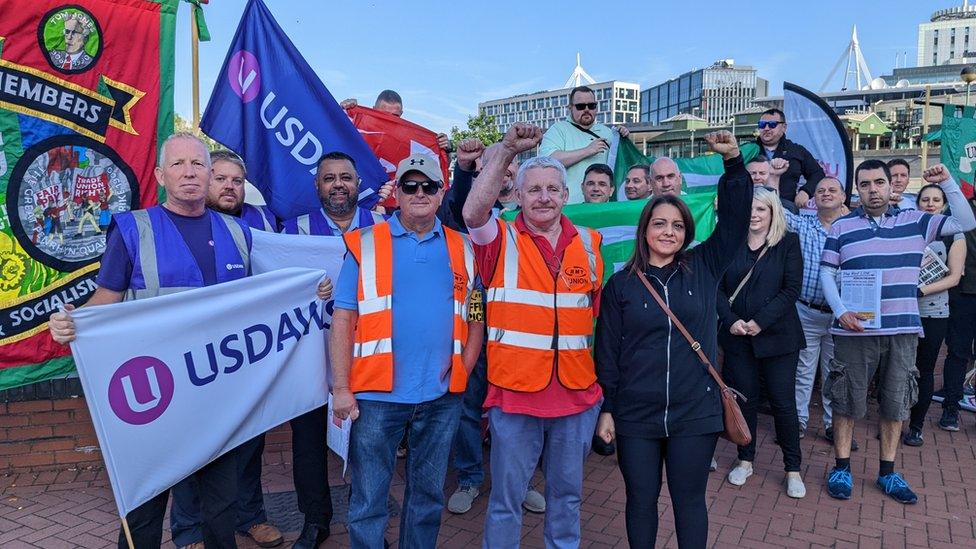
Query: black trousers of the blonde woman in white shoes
{"x": 775, "y": 378}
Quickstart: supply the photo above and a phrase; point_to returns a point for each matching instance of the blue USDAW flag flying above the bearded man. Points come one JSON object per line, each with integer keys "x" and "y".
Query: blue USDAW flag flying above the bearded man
{"x": 271, "y": 108}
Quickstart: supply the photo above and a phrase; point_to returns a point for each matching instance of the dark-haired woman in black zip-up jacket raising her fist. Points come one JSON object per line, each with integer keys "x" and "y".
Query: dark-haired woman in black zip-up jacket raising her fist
{"x": 660, "y": 404}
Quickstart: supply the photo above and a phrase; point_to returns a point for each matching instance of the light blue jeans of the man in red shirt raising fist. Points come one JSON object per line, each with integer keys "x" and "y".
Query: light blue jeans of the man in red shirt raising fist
{"x": 516, "y": 442}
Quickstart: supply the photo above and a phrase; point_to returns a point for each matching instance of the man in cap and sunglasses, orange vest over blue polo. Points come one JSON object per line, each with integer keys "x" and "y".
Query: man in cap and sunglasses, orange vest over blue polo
{"x": 401, "y": 353}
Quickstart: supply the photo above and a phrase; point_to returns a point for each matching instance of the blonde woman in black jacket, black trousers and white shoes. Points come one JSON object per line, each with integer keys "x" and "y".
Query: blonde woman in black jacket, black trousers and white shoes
{"x": 760, "y": 332}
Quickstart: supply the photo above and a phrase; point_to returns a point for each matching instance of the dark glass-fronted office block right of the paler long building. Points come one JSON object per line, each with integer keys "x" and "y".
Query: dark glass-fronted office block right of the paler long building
{"x": 714, "y": 93}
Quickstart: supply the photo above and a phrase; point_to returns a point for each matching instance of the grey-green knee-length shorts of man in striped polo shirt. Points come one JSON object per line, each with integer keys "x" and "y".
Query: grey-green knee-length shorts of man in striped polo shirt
{"x": 857, "y": 359}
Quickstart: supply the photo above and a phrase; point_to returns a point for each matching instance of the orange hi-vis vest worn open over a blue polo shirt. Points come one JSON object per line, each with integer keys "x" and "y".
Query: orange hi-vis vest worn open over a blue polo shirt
{"x": 372, "y": 356}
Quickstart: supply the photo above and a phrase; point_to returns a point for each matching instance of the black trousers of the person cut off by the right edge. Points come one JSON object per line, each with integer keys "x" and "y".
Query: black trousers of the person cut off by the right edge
{"x": 959, "y": 339}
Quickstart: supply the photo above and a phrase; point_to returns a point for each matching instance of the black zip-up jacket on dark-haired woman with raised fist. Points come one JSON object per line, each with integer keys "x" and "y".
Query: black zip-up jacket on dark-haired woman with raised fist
{"x": 653, "y": 382}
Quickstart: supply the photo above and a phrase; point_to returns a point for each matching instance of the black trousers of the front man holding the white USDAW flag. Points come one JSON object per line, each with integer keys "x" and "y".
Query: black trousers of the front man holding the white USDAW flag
{"x": 218, "y": 496}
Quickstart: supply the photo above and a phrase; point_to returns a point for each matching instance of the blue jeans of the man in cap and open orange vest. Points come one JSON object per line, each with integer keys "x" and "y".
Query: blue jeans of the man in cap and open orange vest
{"x": 372, "y": 460}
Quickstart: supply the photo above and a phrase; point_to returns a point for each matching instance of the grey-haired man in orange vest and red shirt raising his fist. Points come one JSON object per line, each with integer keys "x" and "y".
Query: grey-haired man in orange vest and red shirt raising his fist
{"x": 542, "y": 279}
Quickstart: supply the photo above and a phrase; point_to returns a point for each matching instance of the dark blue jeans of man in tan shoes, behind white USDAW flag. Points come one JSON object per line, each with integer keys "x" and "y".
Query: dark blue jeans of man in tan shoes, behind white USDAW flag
{"x": 185, "y": 520}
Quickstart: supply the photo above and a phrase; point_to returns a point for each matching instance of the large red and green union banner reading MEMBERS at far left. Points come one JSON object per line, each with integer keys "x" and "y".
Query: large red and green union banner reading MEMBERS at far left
{"x": 86, "y": 95}
